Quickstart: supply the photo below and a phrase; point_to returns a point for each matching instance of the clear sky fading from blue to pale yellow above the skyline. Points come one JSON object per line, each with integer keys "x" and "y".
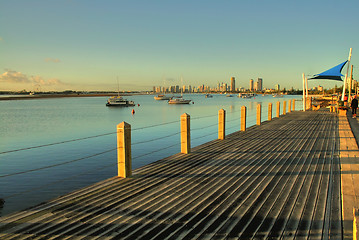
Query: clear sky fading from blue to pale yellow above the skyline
{"x": 137, "y": 44}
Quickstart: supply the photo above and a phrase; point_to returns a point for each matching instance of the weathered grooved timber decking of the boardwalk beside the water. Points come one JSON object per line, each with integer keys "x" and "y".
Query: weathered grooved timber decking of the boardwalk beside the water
{"x": 277, "y": 180}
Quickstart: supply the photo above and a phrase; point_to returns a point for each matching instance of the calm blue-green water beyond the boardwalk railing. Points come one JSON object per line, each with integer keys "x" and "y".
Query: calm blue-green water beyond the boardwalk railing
{"x": 34, "y": 175}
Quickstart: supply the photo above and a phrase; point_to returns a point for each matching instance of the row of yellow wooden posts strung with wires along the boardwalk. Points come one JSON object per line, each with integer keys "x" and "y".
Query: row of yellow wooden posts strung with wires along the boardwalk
{"x": 128, "y": 151}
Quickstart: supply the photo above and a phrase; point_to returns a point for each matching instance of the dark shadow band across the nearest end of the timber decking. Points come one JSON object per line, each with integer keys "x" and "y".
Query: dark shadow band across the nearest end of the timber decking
{"x": 132, "y": 223}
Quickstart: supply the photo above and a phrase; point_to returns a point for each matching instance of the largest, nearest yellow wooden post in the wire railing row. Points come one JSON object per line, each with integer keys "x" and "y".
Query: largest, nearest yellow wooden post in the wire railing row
{"x": 124, "y": 165}
